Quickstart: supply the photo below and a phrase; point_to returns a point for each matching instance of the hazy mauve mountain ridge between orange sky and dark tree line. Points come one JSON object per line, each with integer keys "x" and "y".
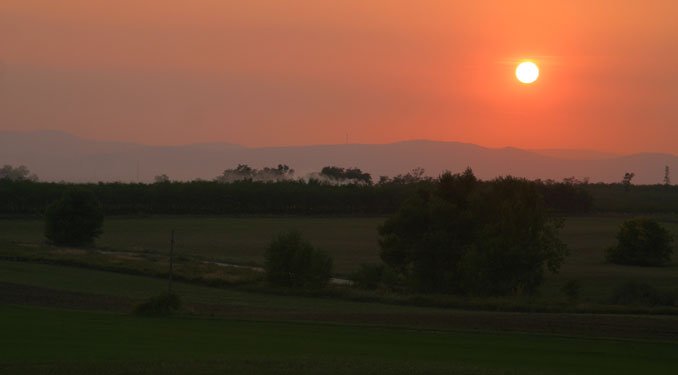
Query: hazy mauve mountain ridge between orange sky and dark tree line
{"x": 58, "y": 156}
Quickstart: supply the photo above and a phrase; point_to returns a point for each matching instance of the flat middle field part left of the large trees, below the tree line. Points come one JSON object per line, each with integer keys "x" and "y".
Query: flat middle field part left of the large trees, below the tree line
{"x": 351, "y": 241}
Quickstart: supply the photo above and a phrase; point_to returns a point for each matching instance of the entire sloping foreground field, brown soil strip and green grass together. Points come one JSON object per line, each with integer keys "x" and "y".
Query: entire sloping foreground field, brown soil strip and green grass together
{"x": 248, "y": 332}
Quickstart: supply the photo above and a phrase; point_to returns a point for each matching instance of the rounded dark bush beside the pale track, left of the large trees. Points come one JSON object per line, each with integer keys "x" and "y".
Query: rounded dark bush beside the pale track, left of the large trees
{"x": 294, "y": 262}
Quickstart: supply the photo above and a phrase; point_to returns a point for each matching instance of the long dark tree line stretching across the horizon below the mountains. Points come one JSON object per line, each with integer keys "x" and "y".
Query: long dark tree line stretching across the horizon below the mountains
{"x": 333, "y": 190}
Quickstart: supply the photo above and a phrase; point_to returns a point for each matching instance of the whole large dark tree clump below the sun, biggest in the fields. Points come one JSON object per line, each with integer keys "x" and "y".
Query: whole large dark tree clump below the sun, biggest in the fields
{"x": 473, "y": 237}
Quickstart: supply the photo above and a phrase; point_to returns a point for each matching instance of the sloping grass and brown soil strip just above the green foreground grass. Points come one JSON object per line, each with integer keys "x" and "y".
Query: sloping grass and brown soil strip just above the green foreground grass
{"x": 78, "y": 288}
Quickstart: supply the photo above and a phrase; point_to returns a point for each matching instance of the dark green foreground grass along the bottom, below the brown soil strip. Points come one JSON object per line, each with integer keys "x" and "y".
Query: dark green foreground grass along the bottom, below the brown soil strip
{"x": 83, "y": 342}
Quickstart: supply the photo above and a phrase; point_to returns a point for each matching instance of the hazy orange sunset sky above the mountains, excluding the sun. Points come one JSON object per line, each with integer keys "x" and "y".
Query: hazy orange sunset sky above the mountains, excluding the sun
{"x": 289, "y": 72}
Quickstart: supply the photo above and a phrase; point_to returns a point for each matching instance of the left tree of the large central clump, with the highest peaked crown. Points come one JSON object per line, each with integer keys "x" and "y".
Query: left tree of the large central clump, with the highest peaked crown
{"x": 426, "y": 239}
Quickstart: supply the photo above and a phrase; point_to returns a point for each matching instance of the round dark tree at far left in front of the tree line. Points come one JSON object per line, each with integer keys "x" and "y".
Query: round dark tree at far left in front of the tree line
{"x": 75, "y": 219}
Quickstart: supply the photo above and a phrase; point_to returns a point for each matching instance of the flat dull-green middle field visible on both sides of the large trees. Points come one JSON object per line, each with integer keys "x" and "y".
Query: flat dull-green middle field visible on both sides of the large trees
{"x": 351, "y": 241}
